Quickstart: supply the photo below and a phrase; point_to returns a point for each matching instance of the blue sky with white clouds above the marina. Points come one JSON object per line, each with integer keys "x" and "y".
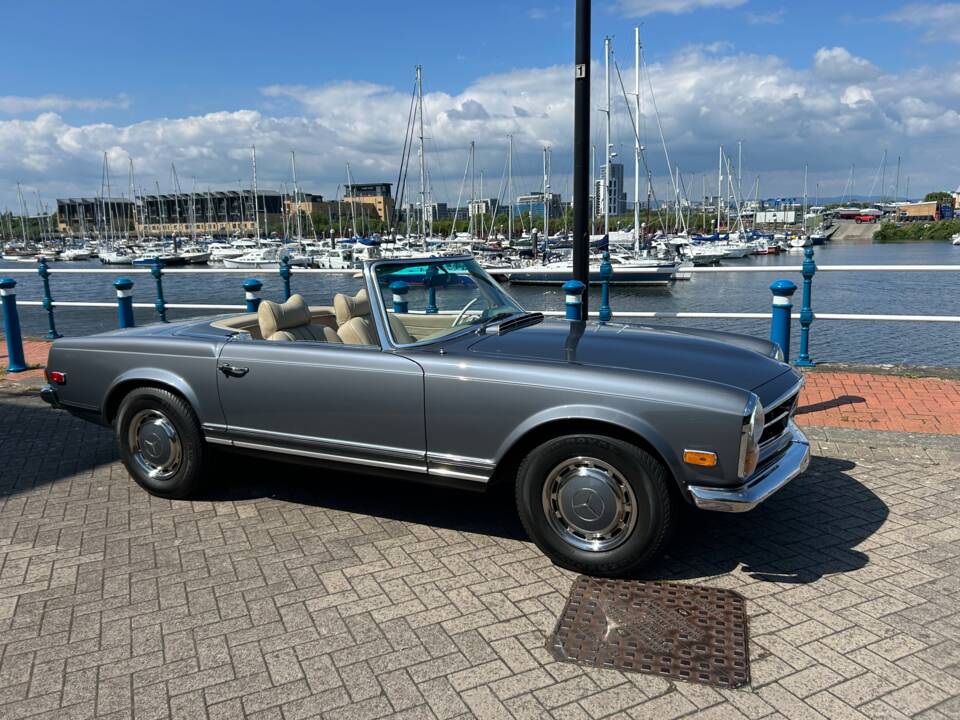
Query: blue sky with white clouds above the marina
{"x": 144, "y": 79}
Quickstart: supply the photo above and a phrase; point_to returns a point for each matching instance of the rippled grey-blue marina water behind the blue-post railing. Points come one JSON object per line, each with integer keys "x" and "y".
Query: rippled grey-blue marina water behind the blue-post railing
{"x": 870, "y": 342}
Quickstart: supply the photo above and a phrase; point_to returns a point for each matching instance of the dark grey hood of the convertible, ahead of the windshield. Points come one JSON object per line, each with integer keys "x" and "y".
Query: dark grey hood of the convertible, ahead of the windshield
{"x": 727, "y": 358}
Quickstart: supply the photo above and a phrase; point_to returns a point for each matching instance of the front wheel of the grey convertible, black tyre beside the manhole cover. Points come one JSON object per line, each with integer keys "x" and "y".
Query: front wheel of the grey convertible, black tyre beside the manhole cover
{"x": 635, "y": 545}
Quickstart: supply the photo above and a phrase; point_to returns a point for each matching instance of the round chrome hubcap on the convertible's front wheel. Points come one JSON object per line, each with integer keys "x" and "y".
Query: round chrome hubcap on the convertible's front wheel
{"x": 589, "y": 504}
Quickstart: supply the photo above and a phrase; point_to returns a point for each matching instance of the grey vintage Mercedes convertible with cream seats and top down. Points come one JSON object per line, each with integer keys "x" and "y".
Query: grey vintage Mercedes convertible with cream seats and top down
{"x": 432, "y": 371}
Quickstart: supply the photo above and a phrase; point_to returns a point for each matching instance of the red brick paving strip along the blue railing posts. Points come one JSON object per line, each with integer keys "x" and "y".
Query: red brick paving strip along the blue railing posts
{"x": 834, "y": 399}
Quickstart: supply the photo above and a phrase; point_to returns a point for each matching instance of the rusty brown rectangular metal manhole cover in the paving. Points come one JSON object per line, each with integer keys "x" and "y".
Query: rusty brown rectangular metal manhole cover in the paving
{"x": 686, "y": 632}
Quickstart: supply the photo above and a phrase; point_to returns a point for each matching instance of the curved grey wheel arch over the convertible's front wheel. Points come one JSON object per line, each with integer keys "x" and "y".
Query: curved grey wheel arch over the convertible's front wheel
{"x": 583, "y": 421}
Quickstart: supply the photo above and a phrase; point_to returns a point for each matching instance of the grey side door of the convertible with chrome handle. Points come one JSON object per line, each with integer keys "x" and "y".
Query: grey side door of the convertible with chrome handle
{"x": 344, "y": 403}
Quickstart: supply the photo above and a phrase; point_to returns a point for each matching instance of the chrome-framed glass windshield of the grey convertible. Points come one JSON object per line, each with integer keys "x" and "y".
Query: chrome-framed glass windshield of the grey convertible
{"x": 435, "y": 298}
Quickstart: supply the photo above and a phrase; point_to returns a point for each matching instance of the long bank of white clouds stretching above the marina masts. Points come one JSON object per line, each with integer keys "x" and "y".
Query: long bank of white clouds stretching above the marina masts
{"x": 842, "y": 110}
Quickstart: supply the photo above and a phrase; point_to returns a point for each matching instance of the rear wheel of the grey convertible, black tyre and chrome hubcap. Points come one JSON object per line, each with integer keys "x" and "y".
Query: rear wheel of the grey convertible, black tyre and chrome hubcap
{"x": 162, "y": 411}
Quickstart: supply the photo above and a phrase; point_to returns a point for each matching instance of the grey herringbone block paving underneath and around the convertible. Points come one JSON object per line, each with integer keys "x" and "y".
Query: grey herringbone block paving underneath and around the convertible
{"x": 314, "y": 595}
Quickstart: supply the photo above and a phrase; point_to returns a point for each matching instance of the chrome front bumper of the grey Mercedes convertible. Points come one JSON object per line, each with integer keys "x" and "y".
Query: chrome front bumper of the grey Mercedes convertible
{"x": 764, "y": 482}
